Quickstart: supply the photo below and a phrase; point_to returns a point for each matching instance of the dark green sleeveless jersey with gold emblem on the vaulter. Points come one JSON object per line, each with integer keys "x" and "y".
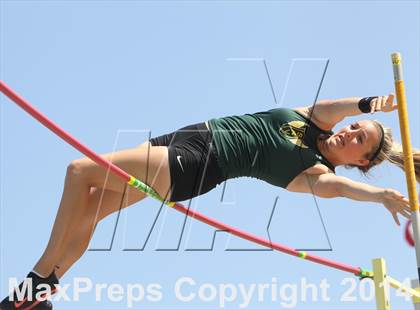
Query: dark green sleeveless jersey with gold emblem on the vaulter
{"x": 274, "y": 146}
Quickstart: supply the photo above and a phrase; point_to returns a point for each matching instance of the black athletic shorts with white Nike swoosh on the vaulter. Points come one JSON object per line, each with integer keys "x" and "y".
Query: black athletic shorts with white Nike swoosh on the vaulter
{"x": 192, "y": 161}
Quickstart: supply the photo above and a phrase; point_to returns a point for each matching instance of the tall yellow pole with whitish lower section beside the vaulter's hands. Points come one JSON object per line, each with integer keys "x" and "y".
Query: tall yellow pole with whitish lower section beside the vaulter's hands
{"x": 408, "y": 151}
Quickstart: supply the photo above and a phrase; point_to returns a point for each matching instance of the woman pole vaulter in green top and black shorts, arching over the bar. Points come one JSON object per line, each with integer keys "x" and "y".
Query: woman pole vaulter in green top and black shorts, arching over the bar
{"x": 295, "y": 149}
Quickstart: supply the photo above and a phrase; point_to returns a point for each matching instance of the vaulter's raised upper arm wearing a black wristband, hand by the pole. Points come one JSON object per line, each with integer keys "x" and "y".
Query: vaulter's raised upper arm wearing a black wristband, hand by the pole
{"x": 329, "y": 112}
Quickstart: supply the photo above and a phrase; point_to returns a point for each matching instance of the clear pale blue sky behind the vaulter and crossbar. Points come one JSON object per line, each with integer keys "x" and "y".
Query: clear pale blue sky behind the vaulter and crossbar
{"x": 109, "y": 72}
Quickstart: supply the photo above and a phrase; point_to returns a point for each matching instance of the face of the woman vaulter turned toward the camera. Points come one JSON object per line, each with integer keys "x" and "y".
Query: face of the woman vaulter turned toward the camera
{"x": 351, "y": 144}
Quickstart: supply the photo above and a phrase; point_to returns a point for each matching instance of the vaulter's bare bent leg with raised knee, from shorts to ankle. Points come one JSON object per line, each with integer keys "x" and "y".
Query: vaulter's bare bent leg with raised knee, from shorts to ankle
{"x": 143, "y": 162}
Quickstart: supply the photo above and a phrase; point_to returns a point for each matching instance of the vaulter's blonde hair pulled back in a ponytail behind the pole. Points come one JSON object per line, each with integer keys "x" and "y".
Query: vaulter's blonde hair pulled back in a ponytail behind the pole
{"x": 391, "y": 151}
